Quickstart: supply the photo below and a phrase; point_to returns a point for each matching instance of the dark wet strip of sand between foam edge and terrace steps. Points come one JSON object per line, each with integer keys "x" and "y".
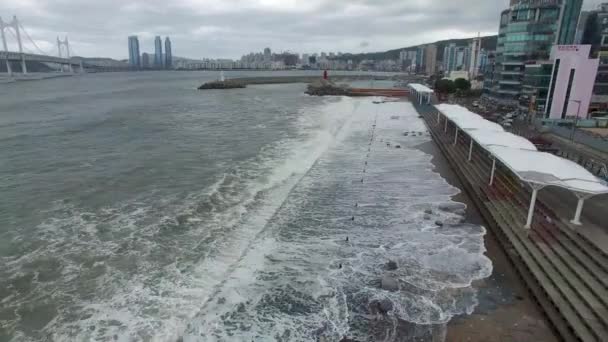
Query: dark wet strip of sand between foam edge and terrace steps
{"x": 506, "y": 311}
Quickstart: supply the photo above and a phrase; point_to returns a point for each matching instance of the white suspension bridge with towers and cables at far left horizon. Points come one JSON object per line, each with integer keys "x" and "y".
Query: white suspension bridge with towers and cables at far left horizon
{"x": 15, "y": 30}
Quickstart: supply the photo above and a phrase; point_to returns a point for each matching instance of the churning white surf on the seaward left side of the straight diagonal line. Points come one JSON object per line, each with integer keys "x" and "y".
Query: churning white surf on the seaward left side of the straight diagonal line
{"x": 142, "y": 269}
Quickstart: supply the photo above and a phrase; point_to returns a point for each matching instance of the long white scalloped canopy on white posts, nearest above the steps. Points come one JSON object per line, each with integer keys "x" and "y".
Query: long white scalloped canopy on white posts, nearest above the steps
{"x": 538, "y": 169}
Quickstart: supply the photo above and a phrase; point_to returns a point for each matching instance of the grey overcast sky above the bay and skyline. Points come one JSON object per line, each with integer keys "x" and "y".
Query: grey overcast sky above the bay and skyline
{"x": 230, "y": 28}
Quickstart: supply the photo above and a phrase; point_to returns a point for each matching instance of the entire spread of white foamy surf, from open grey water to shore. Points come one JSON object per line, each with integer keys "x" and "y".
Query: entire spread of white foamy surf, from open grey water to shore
{"x": 256, "y": 255}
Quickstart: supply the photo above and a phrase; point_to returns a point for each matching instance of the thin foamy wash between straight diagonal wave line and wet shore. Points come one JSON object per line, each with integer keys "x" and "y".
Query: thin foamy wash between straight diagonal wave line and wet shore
{"x": 289, "y": 286}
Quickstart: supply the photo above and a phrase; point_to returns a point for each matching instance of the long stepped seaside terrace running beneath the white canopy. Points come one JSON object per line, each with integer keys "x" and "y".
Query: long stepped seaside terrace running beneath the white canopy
{"x": 562, "y": 261}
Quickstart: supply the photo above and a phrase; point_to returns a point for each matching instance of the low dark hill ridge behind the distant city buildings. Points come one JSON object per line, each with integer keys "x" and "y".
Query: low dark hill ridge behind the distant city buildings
{"x": 488, "y": 42}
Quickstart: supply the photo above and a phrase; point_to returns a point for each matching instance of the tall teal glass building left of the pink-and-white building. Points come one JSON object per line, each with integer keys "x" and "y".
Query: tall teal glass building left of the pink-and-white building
{"x": 527, "y": 31}
